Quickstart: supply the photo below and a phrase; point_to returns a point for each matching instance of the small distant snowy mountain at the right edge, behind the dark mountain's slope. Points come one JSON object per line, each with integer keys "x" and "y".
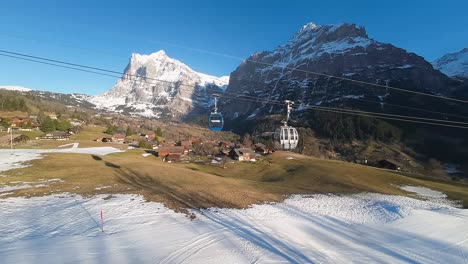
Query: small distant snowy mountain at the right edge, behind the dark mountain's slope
{"x": 453, "y": 64}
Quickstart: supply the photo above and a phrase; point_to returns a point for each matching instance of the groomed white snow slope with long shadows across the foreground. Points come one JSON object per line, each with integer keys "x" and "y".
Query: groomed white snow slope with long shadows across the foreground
{"x": 365, "y": 228}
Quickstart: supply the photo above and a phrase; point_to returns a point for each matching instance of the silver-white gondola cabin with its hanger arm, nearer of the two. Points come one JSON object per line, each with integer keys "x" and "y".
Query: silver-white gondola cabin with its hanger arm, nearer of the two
{"x": 286, "y": 137}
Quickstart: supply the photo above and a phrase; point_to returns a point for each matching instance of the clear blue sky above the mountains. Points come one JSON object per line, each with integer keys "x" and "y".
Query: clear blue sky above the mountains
{"x": 105, "y": 33}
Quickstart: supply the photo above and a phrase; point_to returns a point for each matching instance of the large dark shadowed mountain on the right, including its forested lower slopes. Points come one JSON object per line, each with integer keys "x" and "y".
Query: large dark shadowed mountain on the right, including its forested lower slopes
{"x": 302, "y": 70}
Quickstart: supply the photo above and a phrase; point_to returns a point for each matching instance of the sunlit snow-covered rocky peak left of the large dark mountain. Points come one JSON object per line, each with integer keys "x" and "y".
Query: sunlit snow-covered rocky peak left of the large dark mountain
{"x": 156, "y": 85}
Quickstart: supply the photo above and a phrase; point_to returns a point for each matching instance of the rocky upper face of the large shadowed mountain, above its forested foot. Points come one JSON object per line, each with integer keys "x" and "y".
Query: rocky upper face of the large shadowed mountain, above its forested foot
{"x": 299, "y": 69}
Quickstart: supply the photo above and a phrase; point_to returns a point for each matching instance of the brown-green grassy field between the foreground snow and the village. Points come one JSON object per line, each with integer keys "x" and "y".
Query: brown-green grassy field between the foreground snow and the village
{"x": 188, "y": 185}
